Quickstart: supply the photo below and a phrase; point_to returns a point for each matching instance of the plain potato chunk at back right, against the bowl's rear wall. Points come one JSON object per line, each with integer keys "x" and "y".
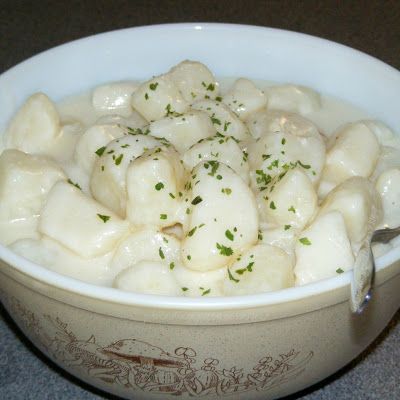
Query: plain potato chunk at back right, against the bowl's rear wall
{"x": 294, "y": 98}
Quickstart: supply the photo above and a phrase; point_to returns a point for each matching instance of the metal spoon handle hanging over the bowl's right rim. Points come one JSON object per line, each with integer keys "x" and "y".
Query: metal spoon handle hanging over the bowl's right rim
{"x": 364, "y": 269}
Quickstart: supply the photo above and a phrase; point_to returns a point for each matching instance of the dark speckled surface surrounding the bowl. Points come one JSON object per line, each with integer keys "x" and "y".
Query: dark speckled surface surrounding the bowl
{"x": 29, "y": 27}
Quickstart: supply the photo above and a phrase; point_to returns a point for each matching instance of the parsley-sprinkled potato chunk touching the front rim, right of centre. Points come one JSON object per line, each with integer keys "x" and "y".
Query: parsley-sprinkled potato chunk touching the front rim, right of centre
{"x": 262, "y": 268}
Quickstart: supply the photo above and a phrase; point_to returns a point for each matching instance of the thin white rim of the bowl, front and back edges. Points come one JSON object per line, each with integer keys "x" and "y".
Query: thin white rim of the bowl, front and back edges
{"x": 41, "y": 273}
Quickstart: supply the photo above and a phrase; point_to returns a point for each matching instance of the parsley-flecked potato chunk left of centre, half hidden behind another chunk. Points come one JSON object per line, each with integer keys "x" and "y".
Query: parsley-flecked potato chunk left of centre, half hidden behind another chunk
{"x": 108, "y": 179}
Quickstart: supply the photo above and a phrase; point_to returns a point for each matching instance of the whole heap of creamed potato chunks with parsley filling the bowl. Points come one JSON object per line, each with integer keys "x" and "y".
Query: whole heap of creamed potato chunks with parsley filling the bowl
{"x": 177, "y": 189}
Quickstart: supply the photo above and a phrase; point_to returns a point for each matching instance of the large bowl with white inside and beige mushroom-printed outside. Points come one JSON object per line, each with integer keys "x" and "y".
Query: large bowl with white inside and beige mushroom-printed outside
{"x": 142, "y": 346}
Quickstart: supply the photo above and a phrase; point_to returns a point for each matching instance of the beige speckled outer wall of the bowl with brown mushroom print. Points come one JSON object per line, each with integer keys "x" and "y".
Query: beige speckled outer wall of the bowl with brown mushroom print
{"x": 264, "y": 352}
